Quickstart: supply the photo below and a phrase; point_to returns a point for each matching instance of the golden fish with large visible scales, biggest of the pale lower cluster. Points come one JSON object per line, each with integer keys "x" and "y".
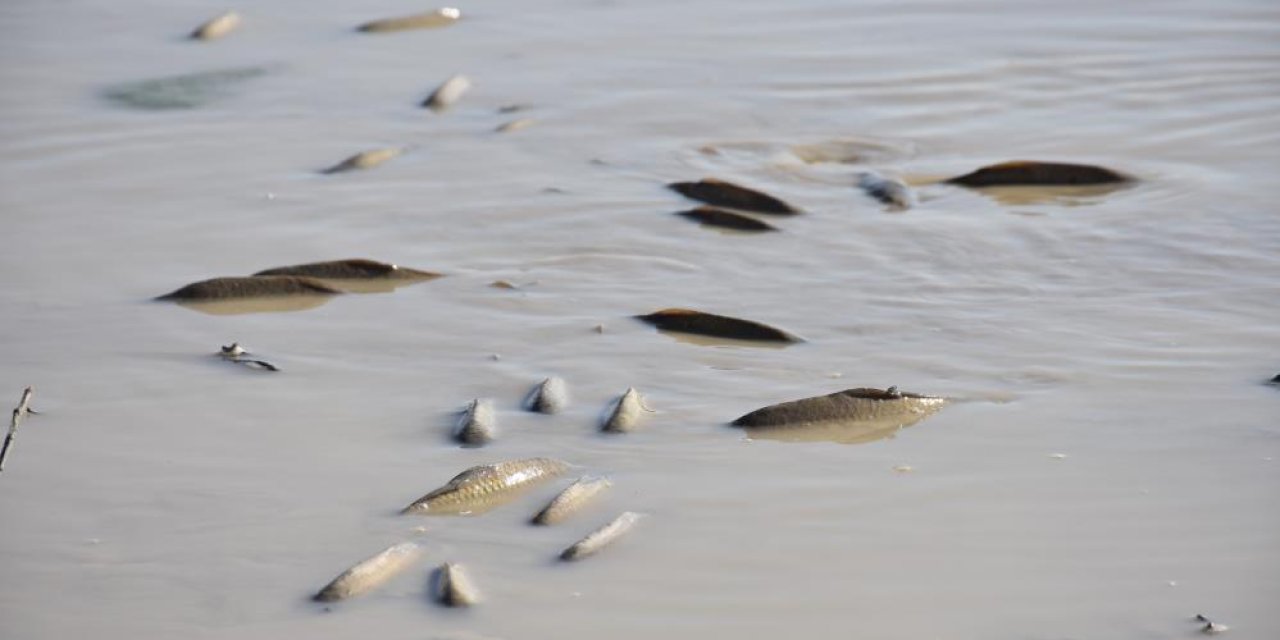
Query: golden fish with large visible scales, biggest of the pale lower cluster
{"x": 488, "y": 486}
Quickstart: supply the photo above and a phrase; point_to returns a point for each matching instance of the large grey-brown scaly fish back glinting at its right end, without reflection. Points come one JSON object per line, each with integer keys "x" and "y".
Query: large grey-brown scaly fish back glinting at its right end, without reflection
{"x": 847, "y": 406}
